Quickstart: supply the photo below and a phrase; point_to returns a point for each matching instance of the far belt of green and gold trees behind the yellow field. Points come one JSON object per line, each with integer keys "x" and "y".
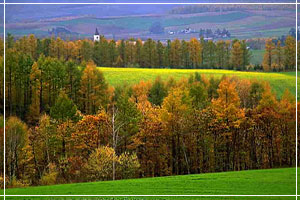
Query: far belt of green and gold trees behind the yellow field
{"x": 154, "y": 54}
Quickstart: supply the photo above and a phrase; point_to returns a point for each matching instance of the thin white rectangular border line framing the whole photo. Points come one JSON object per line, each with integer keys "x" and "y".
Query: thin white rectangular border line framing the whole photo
{"x": 156, "y": 3}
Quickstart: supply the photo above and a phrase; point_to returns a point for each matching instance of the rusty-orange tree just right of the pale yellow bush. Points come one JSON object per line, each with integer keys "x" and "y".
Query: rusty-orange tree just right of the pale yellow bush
{"x": 150, "y": 143}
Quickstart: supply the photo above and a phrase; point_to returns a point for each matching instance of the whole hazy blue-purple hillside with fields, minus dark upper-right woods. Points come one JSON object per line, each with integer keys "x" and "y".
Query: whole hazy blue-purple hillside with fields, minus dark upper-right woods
{"x": 125, "y": 21}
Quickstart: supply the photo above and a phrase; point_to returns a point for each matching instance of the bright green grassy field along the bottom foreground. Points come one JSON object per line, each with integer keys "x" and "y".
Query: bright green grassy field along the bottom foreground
{"x": 252, "y": 182}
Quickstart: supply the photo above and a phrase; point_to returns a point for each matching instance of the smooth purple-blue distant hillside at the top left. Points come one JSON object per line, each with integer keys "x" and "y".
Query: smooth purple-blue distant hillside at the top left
{"x": 28, "y": 13}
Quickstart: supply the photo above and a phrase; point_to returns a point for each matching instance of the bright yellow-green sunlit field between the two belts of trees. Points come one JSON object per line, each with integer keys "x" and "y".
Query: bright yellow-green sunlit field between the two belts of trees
{"x": 278, "y": 81}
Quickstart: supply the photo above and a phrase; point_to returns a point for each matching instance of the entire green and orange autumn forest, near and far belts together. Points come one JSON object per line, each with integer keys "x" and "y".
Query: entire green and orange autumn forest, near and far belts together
{"x": 66, "y": 124}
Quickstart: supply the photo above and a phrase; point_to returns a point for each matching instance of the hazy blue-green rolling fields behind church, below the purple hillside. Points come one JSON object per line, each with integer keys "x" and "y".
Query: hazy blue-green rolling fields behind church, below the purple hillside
{"x": 242, "y": 25}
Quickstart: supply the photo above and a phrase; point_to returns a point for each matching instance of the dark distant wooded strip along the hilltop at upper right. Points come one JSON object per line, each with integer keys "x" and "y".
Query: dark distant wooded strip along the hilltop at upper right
{"x": 223, "y": 8}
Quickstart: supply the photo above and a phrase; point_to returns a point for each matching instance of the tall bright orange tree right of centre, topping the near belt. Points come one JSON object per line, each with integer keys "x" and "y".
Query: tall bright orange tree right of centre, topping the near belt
{"x": 229, "y": 117}
